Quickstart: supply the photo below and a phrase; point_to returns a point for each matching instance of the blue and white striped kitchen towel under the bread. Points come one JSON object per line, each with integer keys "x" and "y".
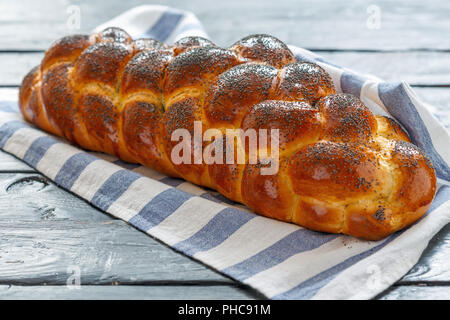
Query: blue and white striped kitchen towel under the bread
{"x": 281, "y": 260}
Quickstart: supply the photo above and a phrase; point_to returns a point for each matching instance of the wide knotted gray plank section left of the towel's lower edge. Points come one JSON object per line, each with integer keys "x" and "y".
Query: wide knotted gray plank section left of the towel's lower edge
{"x": 45, "y": 229}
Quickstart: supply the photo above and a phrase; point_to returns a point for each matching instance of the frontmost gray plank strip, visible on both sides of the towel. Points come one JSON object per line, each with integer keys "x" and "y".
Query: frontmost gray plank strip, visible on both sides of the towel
{"x": 187, "y": 292}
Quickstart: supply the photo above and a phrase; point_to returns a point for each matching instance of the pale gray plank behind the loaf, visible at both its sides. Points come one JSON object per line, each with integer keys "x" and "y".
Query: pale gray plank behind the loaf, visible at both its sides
{"x": 417, "y": 68}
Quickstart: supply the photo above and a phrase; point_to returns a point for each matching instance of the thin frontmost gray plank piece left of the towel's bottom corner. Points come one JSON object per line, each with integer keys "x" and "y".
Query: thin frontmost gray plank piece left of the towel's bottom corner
{"x": 175, "y": 292}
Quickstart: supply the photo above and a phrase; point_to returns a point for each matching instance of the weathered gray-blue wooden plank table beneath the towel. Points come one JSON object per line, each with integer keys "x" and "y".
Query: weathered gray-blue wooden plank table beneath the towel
{"x": 47, "y": 234}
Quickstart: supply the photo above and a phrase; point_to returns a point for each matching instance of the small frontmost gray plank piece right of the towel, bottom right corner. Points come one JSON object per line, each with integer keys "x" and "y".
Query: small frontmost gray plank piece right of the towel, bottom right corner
{"x": 416, "y": 293}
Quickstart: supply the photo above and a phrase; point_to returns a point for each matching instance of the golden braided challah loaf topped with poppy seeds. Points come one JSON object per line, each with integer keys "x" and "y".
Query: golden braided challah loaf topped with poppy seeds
{"x": 341, "y": 169}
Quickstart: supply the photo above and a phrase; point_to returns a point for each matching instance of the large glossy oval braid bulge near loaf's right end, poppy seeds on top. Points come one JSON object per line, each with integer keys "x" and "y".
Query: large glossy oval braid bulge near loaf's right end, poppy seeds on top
{"x": 334, "y": 171}
